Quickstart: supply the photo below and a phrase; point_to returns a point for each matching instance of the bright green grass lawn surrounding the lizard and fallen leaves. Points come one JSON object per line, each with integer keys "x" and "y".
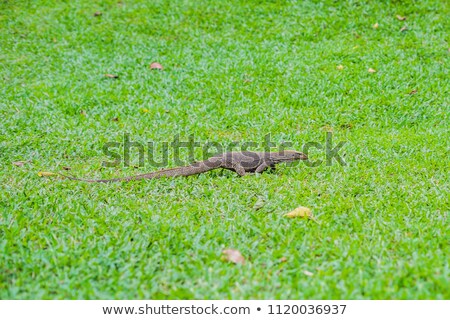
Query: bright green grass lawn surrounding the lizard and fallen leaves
{"x": 233, "y": 71}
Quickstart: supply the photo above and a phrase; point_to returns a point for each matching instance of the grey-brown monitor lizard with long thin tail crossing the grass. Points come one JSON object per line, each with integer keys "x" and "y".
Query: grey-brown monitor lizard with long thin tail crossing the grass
{"x": 241, "y": 162}
